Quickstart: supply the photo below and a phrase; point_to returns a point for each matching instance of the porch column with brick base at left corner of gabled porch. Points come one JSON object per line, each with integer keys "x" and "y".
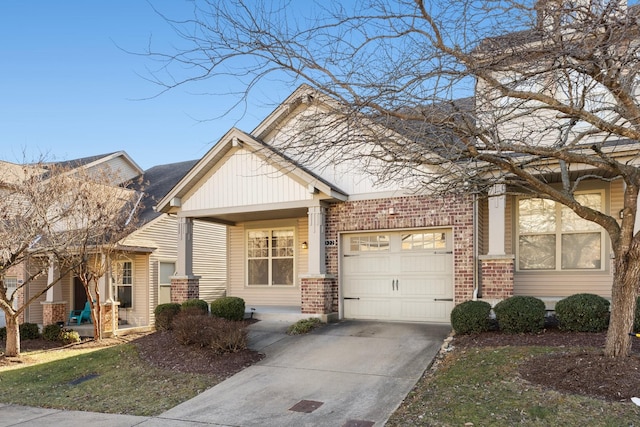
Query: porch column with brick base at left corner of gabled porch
{"x": 184, "y": 285}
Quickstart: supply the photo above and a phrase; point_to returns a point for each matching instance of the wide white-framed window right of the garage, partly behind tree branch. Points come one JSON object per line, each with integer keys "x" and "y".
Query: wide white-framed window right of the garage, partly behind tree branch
{"x": 551, "y": 237}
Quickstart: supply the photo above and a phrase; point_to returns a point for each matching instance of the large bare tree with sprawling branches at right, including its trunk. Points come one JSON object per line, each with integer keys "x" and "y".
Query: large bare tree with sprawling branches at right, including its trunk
{"x": 554, "y": 89}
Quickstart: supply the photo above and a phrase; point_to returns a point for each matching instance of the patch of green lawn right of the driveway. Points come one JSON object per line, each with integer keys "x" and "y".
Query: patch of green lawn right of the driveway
{"x": 481, "y": 387}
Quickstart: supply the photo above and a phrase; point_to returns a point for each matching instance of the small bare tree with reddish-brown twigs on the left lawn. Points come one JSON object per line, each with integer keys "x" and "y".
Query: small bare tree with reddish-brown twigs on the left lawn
{"x": 52, "y": 215}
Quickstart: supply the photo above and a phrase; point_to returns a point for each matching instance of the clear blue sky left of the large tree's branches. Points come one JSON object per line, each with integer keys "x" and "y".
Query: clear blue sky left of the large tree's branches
{"x": 68, "y": 89}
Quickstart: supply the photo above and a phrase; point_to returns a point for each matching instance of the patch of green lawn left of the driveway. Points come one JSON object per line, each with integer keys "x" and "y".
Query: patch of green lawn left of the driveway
{"x": 124, "y": 384}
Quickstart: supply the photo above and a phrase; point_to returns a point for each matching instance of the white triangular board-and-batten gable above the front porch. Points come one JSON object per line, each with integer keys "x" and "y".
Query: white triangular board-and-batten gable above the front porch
{"x": 244, "y": 179}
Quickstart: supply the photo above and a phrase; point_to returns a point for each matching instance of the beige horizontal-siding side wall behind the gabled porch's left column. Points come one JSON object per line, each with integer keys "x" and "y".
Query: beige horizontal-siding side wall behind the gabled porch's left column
{"x": 209, "y": 255}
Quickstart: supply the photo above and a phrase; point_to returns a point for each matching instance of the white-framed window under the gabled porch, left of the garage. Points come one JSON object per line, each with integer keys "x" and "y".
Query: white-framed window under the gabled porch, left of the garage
{"x": 270, "y": 257}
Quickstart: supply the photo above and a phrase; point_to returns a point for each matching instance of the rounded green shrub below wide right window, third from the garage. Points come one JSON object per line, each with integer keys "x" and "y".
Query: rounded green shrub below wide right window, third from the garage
{"x": 583, "y": 313}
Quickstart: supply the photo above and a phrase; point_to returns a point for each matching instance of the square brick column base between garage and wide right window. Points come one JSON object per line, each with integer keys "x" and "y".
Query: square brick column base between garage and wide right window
{"x": 496, "y": 277}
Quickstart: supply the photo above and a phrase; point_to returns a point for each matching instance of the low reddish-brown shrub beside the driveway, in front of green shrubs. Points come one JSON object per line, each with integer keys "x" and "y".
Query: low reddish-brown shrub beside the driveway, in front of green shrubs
{"x": 221, "y": 335}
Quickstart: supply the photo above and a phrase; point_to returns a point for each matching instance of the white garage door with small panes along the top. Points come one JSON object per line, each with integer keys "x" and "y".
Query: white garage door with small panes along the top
{"x": 403, "y": 276}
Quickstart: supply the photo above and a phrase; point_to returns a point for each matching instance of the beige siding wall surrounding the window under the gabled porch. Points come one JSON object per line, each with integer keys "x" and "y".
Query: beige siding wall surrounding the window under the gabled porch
{"x": 265, "y": 295}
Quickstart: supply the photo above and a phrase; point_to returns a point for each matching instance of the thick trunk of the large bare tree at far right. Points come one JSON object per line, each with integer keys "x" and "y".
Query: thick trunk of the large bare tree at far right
{"x": 624, "y": 292}
